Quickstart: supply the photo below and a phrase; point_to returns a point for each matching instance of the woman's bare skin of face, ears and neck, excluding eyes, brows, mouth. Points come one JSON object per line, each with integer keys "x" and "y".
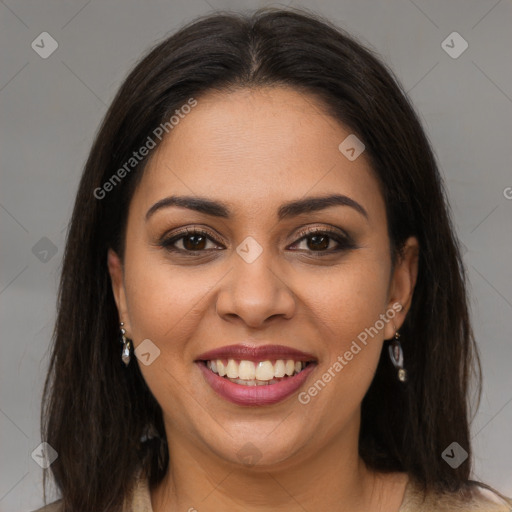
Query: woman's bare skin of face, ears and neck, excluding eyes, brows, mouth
{"x": 255, "y": 149}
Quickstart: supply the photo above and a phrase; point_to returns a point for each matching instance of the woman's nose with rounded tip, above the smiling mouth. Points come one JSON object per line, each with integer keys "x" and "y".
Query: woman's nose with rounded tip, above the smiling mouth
{"x": 255, "y": 293}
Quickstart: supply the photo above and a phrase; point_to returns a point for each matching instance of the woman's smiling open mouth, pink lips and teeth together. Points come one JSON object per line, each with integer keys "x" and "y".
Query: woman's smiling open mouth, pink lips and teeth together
{"x": 262, "y": 375}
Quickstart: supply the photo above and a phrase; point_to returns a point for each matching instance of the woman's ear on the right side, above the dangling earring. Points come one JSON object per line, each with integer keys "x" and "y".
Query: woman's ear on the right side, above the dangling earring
{"x": 402, "y": 285}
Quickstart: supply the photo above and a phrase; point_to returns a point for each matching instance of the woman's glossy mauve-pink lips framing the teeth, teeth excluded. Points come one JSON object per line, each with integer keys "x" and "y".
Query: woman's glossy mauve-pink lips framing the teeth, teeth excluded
{"x": 270, "y": 393}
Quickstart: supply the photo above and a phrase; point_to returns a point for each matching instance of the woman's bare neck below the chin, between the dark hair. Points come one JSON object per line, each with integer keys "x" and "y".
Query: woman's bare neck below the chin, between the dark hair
{"x": 334, "y": 478}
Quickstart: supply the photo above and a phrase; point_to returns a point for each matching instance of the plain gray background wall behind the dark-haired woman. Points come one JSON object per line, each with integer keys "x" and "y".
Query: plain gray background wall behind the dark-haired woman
{"x": 51, "y": 109}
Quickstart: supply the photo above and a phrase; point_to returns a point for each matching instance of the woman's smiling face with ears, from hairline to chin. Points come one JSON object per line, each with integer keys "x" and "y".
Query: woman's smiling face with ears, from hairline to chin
{"x": 255, "y": 274}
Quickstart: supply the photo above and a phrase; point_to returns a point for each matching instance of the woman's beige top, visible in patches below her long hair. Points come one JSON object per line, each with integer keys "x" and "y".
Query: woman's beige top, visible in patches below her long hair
{"x": 482, "y": 499}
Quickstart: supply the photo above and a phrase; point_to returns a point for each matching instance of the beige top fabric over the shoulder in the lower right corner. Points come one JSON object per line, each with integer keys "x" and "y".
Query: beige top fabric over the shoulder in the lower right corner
{"x": 473, "y": 497}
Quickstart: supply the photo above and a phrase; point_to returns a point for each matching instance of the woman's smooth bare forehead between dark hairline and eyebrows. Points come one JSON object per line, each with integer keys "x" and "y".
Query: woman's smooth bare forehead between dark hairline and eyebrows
{"x": 255, "y": 149}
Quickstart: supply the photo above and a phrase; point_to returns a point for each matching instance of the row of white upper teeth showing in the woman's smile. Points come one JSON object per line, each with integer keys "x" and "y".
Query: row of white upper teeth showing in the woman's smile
{"x": 248, "y": 370}
